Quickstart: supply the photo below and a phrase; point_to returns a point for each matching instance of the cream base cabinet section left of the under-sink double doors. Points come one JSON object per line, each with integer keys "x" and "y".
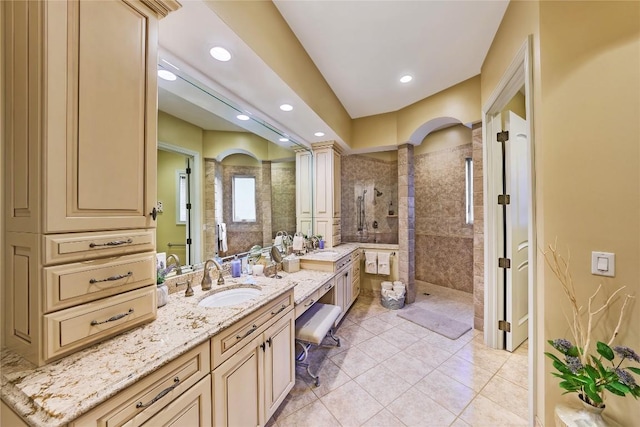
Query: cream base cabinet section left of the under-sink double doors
{"x": 178, "y": 394}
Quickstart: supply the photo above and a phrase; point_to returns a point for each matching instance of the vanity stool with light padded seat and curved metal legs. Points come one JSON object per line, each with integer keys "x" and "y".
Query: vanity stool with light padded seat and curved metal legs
{"x": 311, "y": 328}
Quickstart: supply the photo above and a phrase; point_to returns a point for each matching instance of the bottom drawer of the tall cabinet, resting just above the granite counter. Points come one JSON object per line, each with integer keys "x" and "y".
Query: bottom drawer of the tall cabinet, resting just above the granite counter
{"x": 73, "y": 328}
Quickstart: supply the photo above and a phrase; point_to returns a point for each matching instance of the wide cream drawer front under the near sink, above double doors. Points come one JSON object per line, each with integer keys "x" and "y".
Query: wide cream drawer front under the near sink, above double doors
{"x": 245, "y": 329}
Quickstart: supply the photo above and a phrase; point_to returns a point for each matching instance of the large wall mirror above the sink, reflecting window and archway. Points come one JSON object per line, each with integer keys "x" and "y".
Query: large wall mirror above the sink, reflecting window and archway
{"x": 224, "y": 184}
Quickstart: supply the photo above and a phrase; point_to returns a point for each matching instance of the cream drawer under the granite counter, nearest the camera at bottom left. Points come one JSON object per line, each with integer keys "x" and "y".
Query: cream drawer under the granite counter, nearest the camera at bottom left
{"x": 137, "y": 403}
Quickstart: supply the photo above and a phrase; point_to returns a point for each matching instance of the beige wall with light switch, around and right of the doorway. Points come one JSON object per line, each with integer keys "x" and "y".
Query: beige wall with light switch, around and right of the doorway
{"x": 586, "y": 109}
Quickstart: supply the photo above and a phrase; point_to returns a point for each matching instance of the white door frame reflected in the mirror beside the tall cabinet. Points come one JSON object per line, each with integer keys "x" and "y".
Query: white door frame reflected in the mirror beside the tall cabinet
{"x": 196, "y": 222}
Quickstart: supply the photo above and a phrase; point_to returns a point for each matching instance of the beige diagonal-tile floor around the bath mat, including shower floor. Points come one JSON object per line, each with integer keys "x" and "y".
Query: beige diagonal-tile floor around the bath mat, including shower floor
{"x": 390, "y": 372}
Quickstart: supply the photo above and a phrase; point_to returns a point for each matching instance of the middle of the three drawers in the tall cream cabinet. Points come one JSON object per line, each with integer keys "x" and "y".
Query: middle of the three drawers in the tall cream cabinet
{"x": 72, "y": 284}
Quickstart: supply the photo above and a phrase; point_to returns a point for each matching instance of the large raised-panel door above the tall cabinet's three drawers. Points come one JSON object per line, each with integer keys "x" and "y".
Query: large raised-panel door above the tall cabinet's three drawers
{"x": 101, "y": 156}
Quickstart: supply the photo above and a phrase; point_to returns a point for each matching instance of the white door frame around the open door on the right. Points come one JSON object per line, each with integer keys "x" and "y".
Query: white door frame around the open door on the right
{"x": 518, "y": 74}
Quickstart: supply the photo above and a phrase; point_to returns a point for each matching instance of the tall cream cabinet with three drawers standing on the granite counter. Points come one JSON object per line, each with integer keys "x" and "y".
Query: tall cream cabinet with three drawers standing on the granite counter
{"x": 80, "y": 185}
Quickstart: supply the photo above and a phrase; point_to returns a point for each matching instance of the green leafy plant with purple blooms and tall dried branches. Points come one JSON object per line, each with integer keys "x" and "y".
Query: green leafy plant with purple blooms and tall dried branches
{"x": 580, "y": 369}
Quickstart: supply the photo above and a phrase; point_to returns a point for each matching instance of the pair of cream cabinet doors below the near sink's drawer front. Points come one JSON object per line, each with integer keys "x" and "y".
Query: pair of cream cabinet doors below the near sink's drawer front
{"x": 250, "y": 385}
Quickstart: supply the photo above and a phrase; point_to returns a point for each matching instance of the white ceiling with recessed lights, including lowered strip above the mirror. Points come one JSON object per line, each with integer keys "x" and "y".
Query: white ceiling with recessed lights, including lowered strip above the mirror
{"x": 361, "y": 48}
